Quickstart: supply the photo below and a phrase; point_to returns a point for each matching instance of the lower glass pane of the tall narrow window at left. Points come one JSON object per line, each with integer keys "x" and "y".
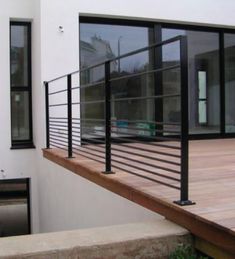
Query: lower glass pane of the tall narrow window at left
{"x": 20, "y": 115}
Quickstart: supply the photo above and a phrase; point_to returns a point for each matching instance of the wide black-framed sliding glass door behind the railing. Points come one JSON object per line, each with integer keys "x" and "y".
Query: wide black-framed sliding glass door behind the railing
{"x": 211, "y": 73}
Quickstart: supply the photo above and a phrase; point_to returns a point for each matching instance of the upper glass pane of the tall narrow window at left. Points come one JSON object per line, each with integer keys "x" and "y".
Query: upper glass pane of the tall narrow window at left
{"x": 19, "y": 55}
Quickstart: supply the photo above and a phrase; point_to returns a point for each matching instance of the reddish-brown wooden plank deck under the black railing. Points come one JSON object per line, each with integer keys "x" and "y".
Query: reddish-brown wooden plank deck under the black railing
{"x": 212, "y": 187}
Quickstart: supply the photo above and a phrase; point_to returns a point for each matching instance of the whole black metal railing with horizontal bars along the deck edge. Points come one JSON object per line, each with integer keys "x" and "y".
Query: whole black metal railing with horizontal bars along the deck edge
{"x": 150, "y": 149}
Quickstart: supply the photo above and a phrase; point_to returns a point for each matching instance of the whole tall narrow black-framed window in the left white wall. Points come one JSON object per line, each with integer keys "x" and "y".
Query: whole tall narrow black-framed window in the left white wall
{"x": 20, "y": 75}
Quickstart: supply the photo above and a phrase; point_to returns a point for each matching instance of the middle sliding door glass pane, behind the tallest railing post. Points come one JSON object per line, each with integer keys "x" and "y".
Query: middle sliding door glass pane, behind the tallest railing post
{"x": 203, "y": 55}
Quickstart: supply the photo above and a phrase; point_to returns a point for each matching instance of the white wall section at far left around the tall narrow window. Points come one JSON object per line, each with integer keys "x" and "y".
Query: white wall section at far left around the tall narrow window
{"x": 14, "y": 163}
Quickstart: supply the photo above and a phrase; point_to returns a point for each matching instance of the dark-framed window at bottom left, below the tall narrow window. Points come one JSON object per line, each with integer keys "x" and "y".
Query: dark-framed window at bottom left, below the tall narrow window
{"x": 14, "y": 207}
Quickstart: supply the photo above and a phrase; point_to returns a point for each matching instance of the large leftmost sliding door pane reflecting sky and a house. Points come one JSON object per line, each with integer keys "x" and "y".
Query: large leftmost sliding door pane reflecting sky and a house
{"x": 100, "y": 42}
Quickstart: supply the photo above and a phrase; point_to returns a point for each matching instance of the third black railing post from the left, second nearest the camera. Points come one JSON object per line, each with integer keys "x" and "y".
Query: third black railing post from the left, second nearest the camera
{"x": 108, "y": 166}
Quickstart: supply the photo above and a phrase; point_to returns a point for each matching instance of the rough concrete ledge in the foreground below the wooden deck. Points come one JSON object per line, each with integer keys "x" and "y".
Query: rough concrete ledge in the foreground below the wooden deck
{"x": 155, "y": 239}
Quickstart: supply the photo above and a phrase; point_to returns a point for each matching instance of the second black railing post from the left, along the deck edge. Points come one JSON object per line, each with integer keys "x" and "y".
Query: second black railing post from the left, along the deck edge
{"x": 69, "y": 114}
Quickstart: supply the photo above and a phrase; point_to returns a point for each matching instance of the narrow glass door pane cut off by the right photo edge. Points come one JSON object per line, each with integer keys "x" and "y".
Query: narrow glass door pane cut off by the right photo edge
{"x": 229, "y": 52}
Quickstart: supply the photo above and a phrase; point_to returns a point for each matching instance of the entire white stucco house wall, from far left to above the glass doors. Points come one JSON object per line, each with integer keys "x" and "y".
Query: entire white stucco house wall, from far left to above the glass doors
{"x": 64, "y": 200}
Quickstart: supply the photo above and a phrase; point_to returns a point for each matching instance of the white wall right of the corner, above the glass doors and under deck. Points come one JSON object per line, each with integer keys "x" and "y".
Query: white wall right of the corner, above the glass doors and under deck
{"x": 90, "y": 205}
